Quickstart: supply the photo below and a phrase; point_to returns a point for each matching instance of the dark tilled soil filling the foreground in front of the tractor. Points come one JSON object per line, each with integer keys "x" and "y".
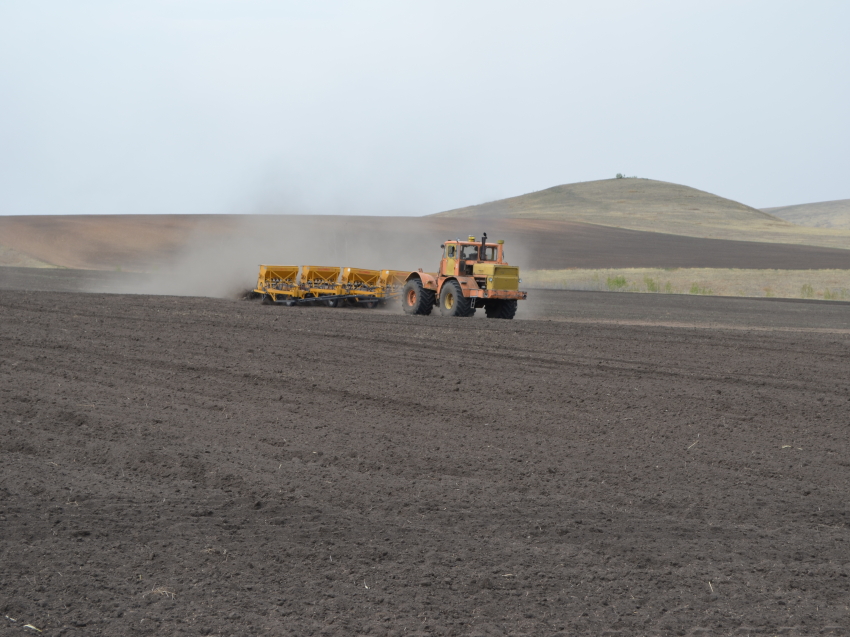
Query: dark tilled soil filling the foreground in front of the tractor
{"x": 199, "y": 466}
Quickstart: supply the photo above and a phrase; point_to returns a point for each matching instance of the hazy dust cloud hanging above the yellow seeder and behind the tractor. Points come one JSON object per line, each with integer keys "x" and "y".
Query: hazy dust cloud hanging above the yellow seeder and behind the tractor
{"x": 219, "y": 255}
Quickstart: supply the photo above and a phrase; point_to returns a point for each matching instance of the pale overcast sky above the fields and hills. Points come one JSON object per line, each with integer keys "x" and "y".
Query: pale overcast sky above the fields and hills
{"x": 408, "y": 108}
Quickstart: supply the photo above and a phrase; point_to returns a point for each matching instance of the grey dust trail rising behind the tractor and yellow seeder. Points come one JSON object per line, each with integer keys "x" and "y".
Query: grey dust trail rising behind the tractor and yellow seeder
{"x": 221, "y": 259}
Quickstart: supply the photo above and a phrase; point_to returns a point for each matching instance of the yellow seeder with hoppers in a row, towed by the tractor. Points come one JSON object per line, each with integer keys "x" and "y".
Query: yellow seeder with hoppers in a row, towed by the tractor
{"x": 332, "y": 286}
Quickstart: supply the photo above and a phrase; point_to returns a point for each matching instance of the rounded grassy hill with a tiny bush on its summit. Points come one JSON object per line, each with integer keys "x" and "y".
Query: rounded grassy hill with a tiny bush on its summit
{"x": 654, "y": 206}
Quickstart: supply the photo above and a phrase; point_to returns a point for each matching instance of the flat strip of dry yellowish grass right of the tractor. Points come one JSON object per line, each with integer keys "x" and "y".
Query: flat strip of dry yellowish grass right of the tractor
{"x": 830, "y": 285}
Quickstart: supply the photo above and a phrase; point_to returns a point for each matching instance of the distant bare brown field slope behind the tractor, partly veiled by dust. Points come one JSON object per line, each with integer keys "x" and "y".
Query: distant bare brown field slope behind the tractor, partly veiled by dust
{"x": 232, "y": 246}
